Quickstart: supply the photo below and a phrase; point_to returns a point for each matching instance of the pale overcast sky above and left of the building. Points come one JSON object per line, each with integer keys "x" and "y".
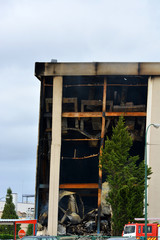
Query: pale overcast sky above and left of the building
{"x": 67, "y": 30}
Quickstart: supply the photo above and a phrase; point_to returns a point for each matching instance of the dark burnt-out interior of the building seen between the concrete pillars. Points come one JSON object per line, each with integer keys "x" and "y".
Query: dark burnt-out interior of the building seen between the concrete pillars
{"x": 81, "y": 136}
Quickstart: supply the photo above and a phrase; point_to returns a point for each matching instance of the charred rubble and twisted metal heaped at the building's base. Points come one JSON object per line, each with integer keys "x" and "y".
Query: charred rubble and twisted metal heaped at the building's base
{"x": 73, "y": 221}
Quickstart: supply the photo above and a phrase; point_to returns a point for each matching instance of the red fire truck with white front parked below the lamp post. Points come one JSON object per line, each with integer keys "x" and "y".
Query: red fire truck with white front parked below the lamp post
{"x": 138, "y": 230}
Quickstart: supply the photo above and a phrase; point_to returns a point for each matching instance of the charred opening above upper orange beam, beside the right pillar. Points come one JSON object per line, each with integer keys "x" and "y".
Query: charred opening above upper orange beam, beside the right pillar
{"x": 127, "y": 93}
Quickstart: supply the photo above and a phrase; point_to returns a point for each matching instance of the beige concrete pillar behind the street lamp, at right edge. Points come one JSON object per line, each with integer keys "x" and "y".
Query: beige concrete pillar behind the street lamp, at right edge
{"x": 153, "y": 146}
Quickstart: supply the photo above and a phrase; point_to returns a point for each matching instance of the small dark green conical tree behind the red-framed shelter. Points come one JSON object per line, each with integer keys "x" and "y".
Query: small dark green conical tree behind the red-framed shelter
{"x": 9, "y": 213}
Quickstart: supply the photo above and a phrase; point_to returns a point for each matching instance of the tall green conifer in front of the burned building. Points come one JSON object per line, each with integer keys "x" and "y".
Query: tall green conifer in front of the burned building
{"x": 125, "y": 177}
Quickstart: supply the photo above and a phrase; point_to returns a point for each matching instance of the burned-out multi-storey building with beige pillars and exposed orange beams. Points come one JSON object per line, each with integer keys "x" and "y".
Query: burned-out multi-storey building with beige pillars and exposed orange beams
{"x": 79, "y": 105}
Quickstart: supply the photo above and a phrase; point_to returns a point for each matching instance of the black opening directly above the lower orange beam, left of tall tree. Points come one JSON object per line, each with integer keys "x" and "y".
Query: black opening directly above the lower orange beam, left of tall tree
{"x": 80, "y": 163}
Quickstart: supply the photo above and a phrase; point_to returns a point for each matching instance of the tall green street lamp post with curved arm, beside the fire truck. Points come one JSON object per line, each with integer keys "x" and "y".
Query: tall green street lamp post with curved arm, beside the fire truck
{"x": 156, "y": 126}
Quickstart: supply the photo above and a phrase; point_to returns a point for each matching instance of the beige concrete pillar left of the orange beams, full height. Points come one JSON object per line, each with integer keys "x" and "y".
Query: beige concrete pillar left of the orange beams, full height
{"x": 55, "y": 156}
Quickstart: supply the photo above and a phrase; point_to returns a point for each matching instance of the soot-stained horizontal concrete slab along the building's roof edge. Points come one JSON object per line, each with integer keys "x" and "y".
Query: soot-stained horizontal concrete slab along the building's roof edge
{"x": 96, "y": 68}
